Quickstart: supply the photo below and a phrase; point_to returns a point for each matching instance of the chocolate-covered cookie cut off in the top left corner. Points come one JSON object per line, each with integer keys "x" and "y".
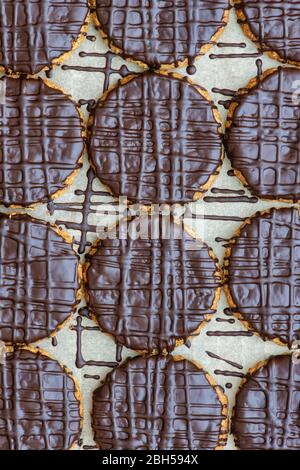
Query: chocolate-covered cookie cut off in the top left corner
{"x": 34, "y": 32}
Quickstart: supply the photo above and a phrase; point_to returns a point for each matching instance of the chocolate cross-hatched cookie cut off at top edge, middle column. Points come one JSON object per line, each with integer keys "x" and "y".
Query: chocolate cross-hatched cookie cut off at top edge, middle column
{"x": 161, "y": 32}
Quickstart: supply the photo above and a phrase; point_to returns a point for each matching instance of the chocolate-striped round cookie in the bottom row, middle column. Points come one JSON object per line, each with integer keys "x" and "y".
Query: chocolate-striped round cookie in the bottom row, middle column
{"x": 159, "y": 403}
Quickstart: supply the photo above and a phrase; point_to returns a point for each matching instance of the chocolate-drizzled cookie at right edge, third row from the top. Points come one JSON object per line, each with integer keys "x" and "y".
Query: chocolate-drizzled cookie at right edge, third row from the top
{"x": 263, "y": 274}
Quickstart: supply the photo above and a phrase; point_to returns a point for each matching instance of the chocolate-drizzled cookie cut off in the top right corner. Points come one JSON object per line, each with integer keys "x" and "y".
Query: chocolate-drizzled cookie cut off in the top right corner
{"x": 274, "y": 25}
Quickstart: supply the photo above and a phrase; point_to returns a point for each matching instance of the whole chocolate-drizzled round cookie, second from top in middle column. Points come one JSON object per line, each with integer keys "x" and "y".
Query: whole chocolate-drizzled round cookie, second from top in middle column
{"x": 156, "y": 139}
